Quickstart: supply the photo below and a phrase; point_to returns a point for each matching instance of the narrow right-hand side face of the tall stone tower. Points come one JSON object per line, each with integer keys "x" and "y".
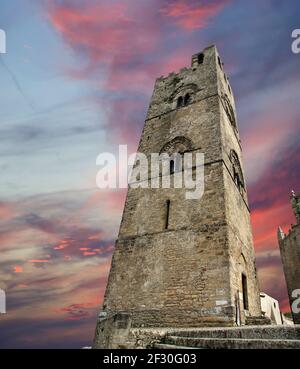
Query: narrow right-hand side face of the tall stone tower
{"x": 242, "y": 258}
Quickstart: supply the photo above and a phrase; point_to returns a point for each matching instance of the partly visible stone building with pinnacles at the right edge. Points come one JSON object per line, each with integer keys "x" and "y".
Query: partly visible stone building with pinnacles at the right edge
{"x": 289, "y": 245}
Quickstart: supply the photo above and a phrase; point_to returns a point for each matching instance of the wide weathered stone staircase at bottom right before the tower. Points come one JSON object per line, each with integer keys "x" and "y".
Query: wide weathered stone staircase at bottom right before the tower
{"x": 246, "y": 337}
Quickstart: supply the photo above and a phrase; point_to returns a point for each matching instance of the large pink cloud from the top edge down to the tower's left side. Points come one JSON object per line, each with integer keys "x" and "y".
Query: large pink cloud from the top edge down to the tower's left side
{"x": 123, "y": 44}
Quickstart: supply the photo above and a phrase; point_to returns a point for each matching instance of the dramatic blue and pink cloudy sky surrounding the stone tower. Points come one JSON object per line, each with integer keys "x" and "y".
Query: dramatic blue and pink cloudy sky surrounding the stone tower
{"x": 76, "y": 81}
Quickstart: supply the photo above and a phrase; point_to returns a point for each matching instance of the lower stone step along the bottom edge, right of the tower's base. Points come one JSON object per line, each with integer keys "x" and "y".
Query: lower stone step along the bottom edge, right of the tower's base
{"x": 231, "y": 343}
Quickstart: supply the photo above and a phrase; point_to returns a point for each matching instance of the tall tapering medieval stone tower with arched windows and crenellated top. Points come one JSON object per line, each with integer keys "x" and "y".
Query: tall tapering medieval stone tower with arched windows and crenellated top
{"x": 181, "y": 262}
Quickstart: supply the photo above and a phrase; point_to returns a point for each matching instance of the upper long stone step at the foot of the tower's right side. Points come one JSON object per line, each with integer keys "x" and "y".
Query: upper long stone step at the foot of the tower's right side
{"x": 251, "y": 332}
